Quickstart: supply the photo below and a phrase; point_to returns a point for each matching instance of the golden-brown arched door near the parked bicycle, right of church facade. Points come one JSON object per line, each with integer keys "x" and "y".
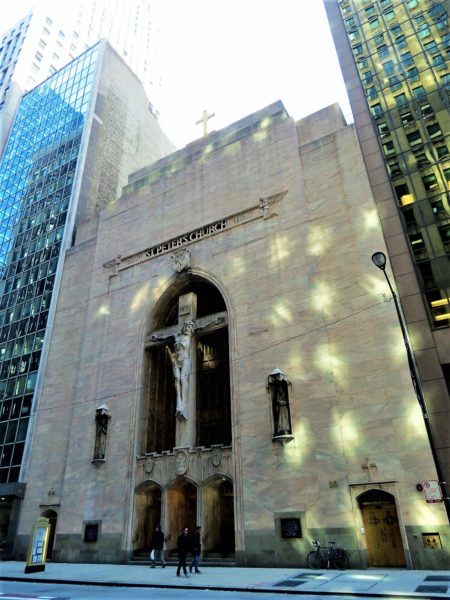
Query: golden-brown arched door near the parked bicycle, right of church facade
{"x": 381, "y": 527}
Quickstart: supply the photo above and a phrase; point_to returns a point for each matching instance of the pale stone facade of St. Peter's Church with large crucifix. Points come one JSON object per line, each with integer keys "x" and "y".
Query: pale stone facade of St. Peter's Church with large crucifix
{"x": 223, "y": 355}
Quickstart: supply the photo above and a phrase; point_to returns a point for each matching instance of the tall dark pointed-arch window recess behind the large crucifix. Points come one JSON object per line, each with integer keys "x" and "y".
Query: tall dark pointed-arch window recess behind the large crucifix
{"x": 209, "y": 382}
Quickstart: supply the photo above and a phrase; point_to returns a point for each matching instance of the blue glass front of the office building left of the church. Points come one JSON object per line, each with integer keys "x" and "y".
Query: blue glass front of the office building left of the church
{"x": 37, "y": 173}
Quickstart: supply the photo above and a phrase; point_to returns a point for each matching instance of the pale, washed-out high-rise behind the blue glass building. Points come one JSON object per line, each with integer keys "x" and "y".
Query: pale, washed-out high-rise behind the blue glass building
{"x": 53, "y": 34}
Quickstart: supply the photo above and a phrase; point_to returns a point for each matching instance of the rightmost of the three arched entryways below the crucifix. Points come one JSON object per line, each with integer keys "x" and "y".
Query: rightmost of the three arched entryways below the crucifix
{"x": 218, "y": 515}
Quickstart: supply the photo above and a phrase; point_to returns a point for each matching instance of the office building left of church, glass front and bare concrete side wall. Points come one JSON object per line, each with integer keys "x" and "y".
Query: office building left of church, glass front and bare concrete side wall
{"x": 74, "y": 139}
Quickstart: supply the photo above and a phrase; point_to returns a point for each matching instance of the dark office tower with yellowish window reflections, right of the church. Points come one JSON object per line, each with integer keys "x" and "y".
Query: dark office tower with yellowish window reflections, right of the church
{"x": 395, "y": 59}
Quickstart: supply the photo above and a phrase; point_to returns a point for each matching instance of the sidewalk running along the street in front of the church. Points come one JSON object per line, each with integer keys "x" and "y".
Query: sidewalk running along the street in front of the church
{"x": 394, "y": 583}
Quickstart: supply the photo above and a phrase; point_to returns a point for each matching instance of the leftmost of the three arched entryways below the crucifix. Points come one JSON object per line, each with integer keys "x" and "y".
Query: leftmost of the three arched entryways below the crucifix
{"x": 148, "y": 515}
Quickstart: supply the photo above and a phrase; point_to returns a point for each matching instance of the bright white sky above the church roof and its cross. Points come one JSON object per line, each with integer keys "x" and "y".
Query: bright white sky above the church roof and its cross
{"x": 233, "y": 57}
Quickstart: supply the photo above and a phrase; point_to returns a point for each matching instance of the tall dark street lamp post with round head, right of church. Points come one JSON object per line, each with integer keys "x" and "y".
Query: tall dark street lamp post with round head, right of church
{"x": 379, "y": 260}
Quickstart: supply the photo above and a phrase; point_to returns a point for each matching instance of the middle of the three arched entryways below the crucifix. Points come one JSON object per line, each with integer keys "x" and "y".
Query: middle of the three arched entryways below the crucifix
{"x": 182, "y": 510}
